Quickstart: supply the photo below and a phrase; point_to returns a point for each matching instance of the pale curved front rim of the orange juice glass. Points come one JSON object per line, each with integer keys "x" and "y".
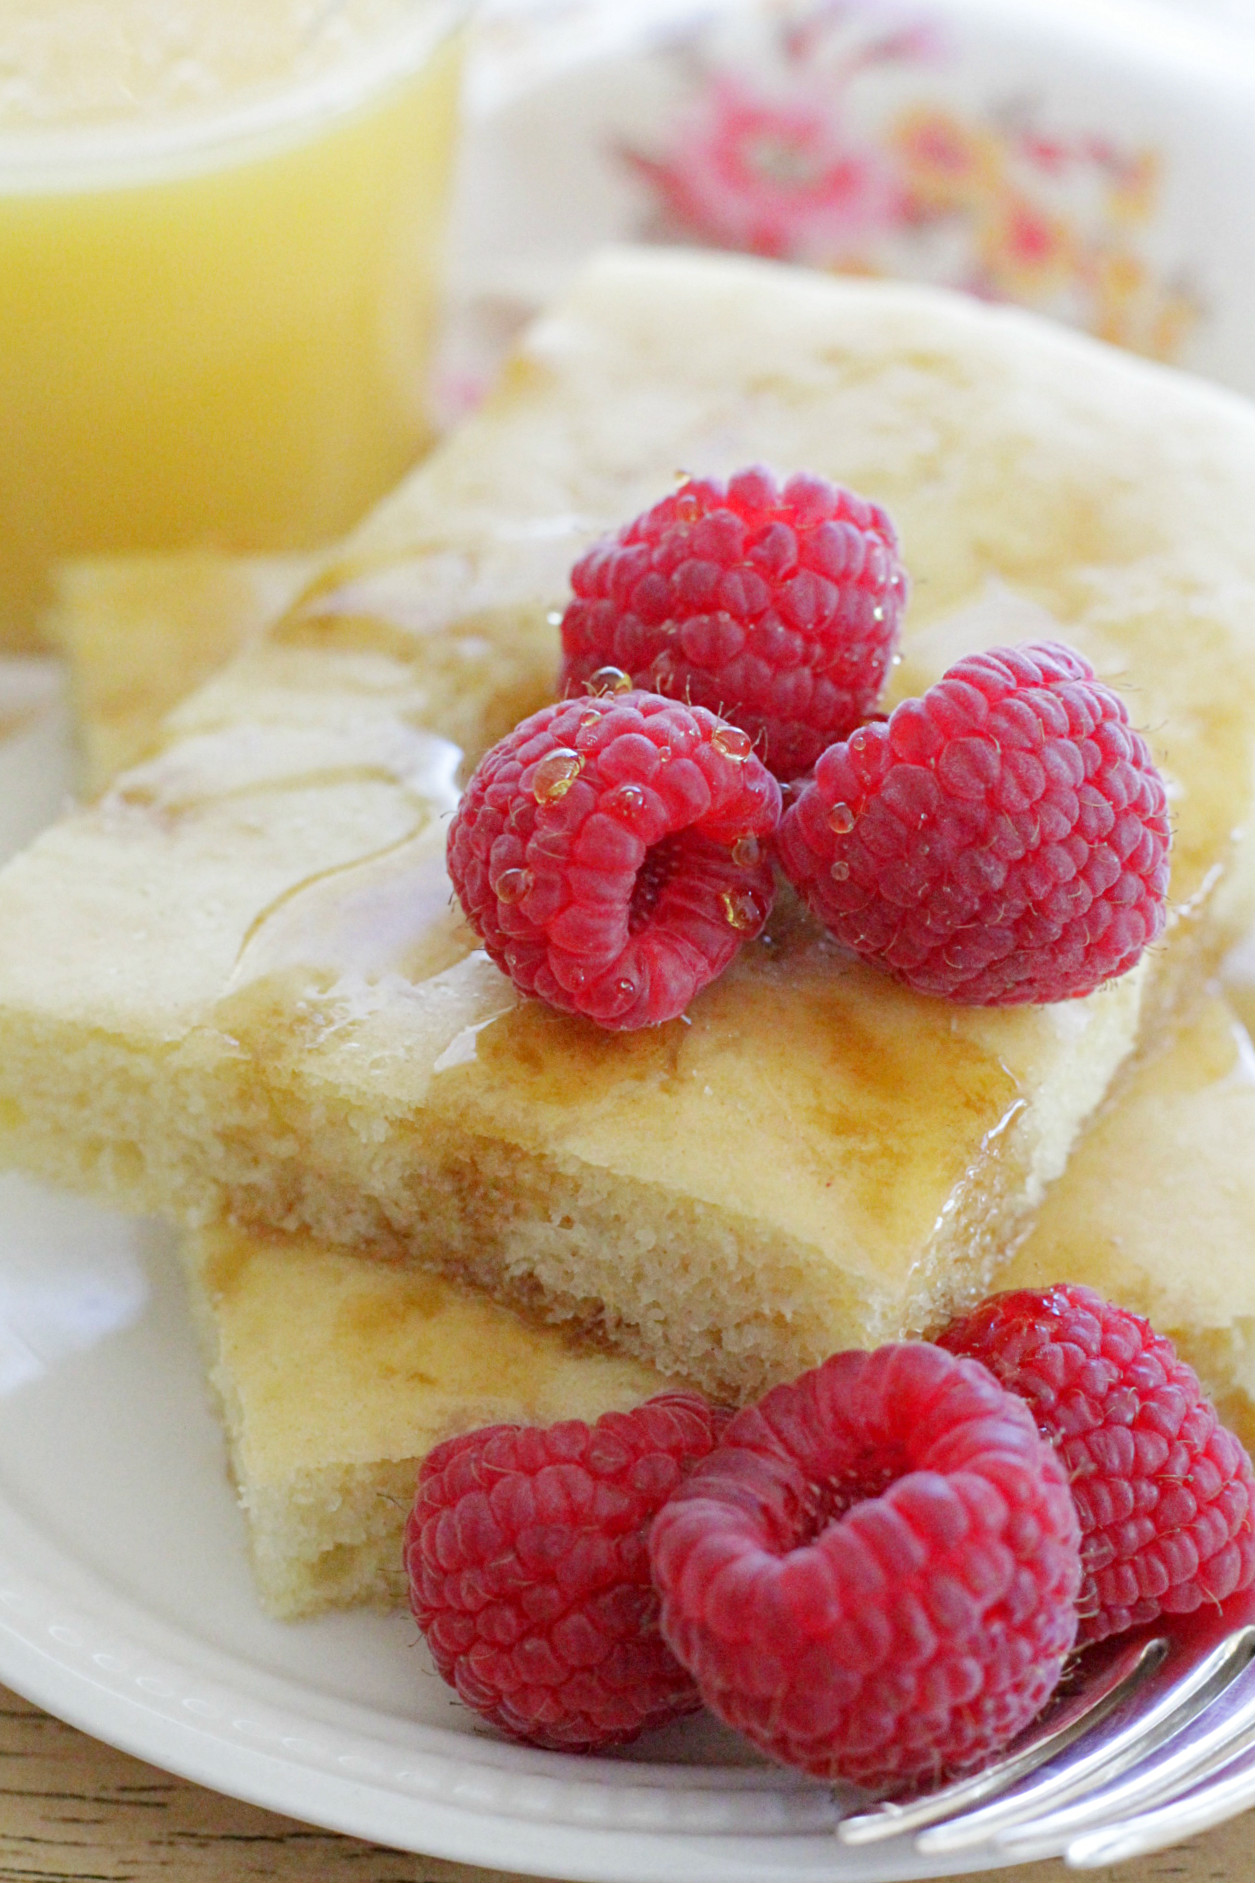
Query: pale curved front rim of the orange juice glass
{"x": 135, "y": 152}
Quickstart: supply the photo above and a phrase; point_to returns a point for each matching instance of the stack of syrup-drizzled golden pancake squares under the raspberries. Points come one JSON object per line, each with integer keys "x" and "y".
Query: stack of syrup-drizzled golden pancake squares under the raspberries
{"x": 235, "y": 991}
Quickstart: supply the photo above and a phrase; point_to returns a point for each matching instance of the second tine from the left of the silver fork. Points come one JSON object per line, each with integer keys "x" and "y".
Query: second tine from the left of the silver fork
{"x": 1179, "y": 1690}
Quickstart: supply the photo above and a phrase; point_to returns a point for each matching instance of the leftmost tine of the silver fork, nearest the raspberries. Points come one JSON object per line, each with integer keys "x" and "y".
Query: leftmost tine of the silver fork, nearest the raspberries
{"x": 1060, "y": 1726}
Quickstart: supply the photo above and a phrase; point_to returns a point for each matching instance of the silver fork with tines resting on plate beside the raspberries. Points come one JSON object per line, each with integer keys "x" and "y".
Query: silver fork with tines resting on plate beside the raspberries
{"x": 1150, "y": 1741}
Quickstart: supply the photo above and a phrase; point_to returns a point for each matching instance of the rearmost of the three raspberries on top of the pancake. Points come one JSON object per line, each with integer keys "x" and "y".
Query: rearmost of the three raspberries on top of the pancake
{"x": 777, "y": 609}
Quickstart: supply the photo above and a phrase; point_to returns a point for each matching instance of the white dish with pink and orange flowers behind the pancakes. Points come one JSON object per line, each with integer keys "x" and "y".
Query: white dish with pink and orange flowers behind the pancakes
{"x": 1098, "y": 170}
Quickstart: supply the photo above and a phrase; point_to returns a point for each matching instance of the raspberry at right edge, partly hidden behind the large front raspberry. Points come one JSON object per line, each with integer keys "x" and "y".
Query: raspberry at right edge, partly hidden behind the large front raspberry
{"x": 1164, "y": 1492}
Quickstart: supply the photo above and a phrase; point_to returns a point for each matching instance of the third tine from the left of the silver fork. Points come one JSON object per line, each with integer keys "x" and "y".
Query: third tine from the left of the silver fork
{"x": 1207, "y": 1745}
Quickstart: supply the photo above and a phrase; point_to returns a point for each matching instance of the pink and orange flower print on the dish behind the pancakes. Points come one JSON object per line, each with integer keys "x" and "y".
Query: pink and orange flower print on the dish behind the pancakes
{"x": 832, "y": 150}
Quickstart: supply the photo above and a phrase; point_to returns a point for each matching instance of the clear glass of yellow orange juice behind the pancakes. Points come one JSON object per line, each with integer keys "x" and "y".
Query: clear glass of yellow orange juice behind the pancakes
{"x": 220, "y": 253}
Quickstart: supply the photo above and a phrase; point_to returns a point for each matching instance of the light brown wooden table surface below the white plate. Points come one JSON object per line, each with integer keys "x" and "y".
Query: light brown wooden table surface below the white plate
{"x": 74, "y": 1809}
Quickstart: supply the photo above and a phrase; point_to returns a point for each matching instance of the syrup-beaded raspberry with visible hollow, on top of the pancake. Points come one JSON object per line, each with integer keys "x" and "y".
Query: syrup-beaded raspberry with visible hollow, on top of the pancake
{"x": 613, "y": 854}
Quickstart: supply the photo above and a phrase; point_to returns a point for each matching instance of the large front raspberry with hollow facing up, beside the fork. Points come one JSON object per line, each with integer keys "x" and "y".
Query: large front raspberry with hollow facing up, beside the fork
{"x": 875, "y": 1571}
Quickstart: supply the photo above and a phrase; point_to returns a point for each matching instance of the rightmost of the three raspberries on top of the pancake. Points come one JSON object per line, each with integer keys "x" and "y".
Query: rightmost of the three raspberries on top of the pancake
{"x": 1000, "y": 841}
